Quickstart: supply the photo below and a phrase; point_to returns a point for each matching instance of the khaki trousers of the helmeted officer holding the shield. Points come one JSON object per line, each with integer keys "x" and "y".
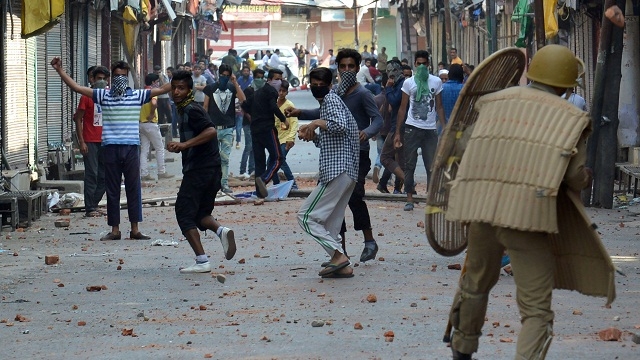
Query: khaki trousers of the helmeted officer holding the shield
{"x": 533, "y": 267}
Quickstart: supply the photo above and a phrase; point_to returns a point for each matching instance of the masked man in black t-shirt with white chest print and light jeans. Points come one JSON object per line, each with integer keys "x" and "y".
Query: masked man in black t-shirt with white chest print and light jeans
{"x": 219, "y": 101}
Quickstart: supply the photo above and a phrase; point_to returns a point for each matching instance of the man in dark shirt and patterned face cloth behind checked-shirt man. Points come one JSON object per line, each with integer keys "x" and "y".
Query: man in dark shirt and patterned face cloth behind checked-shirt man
{"x": 363, "y": 107}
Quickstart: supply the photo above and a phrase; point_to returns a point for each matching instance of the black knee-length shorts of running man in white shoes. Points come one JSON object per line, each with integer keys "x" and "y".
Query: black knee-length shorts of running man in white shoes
{"x": 196, "y": 197}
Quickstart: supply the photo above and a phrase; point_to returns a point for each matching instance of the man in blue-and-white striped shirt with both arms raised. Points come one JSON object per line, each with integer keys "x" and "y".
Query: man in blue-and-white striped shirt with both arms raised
{"x": 121, "y": 141}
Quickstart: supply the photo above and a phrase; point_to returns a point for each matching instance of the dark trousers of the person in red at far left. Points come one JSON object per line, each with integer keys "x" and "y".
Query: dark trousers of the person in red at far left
{"x": 94, "y": 187}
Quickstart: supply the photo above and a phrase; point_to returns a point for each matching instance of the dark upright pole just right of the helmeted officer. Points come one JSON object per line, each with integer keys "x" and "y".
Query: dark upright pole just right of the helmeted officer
{"x": 602, "y": 151}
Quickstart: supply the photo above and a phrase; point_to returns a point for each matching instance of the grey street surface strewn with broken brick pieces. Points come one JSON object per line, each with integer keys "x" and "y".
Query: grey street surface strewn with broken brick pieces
{"x": 146, "y": 309}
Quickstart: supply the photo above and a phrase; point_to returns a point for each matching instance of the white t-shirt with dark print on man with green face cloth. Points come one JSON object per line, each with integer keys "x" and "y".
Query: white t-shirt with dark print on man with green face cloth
{"x": 422, "y": 114}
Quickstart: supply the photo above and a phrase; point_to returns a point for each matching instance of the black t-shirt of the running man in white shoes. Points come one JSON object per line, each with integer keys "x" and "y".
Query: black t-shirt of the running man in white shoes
{"x": 193, "y": 122}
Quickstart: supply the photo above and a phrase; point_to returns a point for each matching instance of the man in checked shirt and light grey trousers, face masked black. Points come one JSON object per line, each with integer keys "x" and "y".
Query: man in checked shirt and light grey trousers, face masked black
{"x": 322, "y": 213}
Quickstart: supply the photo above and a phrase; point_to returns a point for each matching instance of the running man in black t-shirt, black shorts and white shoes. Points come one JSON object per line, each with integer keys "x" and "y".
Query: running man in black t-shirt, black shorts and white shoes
{"x": 202, "y": 174}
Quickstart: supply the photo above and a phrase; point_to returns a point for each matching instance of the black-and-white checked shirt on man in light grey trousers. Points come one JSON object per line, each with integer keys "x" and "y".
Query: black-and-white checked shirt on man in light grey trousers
{"x": 339, "y": 144}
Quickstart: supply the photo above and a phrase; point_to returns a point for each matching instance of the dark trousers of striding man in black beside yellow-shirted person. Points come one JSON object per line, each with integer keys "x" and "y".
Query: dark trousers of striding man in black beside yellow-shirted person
{"x": 266, "y": 141}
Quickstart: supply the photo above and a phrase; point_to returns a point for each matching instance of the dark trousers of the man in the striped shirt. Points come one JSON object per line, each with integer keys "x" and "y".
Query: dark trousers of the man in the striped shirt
{"x": 122, "y": 160}
